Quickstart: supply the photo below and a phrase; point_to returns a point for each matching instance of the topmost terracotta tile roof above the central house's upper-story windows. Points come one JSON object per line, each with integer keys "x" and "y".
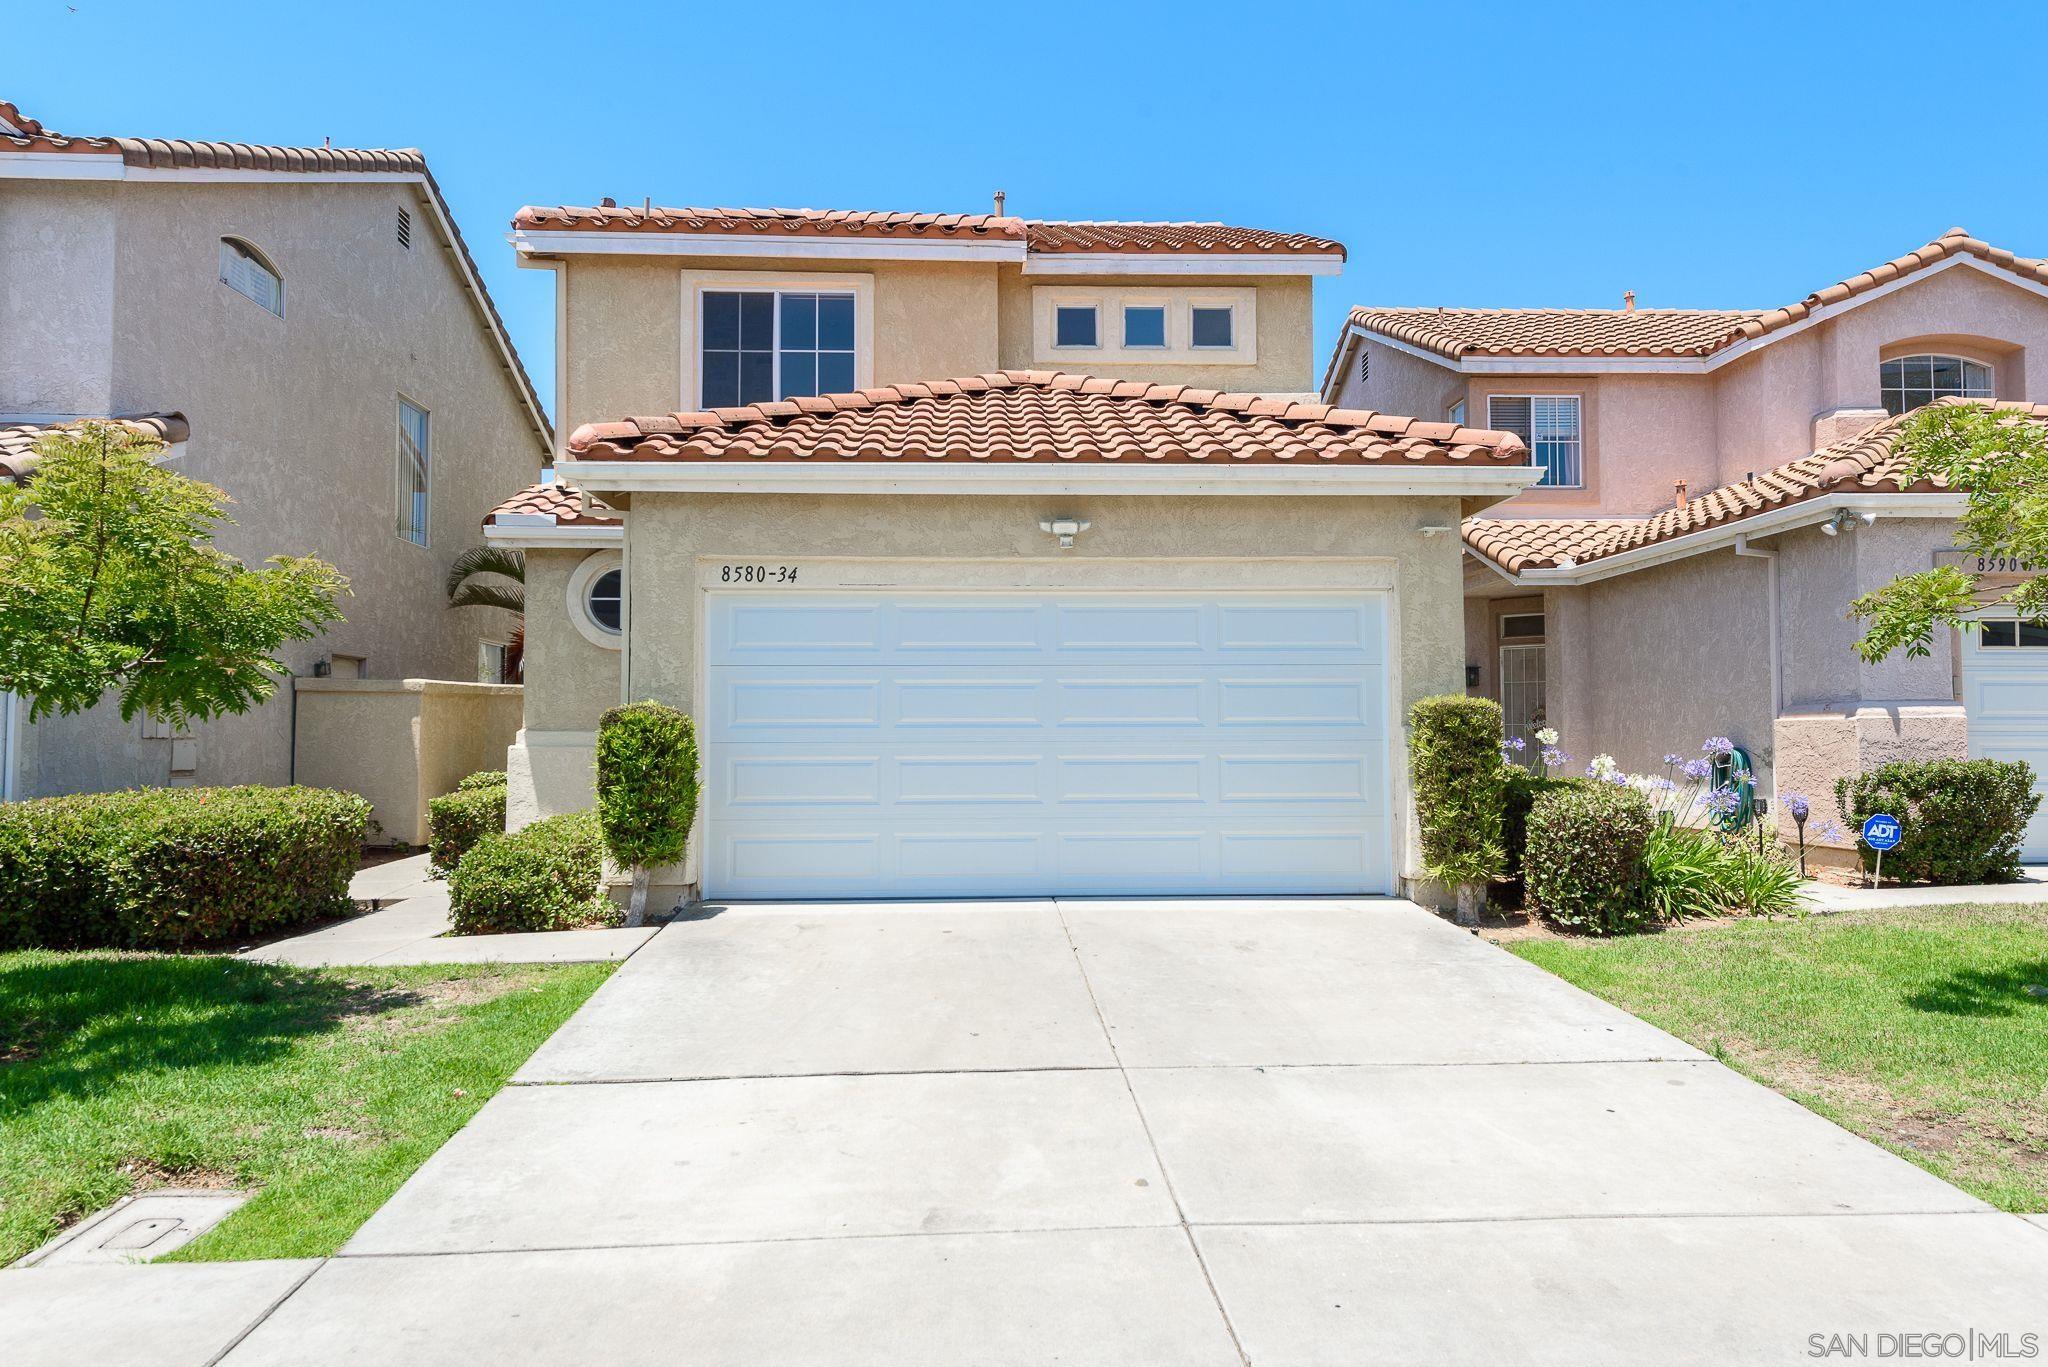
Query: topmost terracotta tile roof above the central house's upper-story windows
{"x": 1035, "y": 235}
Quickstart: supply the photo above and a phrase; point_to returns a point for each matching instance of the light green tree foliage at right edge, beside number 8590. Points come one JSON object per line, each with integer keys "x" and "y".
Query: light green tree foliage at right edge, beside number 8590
{"x": 2000, "y": 460}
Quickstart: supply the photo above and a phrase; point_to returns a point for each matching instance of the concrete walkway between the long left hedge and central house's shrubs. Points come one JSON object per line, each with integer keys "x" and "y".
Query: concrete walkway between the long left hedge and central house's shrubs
{"x": 413, "y": 927}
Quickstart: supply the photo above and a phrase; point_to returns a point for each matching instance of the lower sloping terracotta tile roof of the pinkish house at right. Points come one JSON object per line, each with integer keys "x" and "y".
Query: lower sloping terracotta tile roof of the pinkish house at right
{"x": 1867, "y": 464}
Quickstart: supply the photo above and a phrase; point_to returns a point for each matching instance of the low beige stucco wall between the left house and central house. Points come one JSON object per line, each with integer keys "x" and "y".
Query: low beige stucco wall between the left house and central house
{"x": 402, "y": 743}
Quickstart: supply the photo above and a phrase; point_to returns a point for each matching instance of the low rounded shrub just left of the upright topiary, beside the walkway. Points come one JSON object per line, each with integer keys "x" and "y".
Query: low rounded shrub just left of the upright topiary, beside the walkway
{"x": 548, "y": 876}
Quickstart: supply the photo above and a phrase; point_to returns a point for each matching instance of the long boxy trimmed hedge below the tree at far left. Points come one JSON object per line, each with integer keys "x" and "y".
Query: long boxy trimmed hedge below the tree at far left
{"x": 173, "y": 868}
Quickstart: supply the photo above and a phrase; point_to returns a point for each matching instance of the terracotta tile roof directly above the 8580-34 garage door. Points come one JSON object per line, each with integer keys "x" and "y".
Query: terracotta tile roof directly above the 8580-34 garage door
{"x": 1052, "y": 417}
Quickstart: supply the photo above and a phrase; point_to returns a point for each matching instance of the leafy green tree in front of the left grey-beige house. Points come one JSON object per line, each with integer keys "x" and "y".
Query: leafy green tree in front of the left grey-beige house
{"x": 110, "y": 583}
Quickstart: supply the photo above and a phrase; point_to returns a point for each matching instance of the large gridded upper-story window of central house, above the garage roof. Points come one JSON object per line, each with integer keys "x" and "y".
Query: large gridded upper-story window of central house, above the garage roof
{"x": 763, "y": 345}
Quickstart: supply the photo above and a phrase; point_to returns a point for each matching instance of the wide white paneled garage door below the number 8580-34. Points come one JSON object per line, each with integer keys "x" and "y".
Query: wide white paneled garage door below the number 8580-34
{"x": 1021, "y": 745}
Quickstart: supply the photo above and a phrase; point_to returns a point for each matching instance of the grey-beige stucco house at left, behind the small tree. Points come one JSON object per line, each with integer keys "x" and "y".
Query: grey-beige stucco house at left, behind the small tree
{"x": 310, "y": 333}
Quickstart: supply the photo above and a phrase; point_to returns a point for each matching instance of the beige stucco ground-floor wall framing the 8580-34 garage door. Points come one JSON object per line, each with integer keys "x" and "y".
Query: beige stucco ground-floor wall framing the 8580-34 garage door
{"x": 1201, "y": 542}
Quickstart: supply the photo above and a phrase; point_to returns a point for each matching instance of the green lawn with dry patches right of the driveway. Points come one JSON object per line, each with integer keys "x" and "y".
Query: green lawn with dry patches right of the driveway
{"x": 1922, "y": 1030}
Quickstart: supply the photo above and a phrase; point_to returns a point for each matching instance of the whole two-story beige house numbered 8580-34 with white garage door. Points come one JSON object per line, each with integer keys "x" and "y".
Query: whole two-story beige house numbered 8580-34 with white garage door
{"x": 976, "y": 622}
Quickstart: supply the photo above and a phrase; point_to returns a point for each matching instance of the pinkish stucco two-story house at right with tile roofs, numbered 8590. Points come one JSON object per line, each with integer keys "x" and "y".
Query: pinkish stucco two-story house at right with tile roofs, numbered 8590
{"x": 1719, "y": 485}
